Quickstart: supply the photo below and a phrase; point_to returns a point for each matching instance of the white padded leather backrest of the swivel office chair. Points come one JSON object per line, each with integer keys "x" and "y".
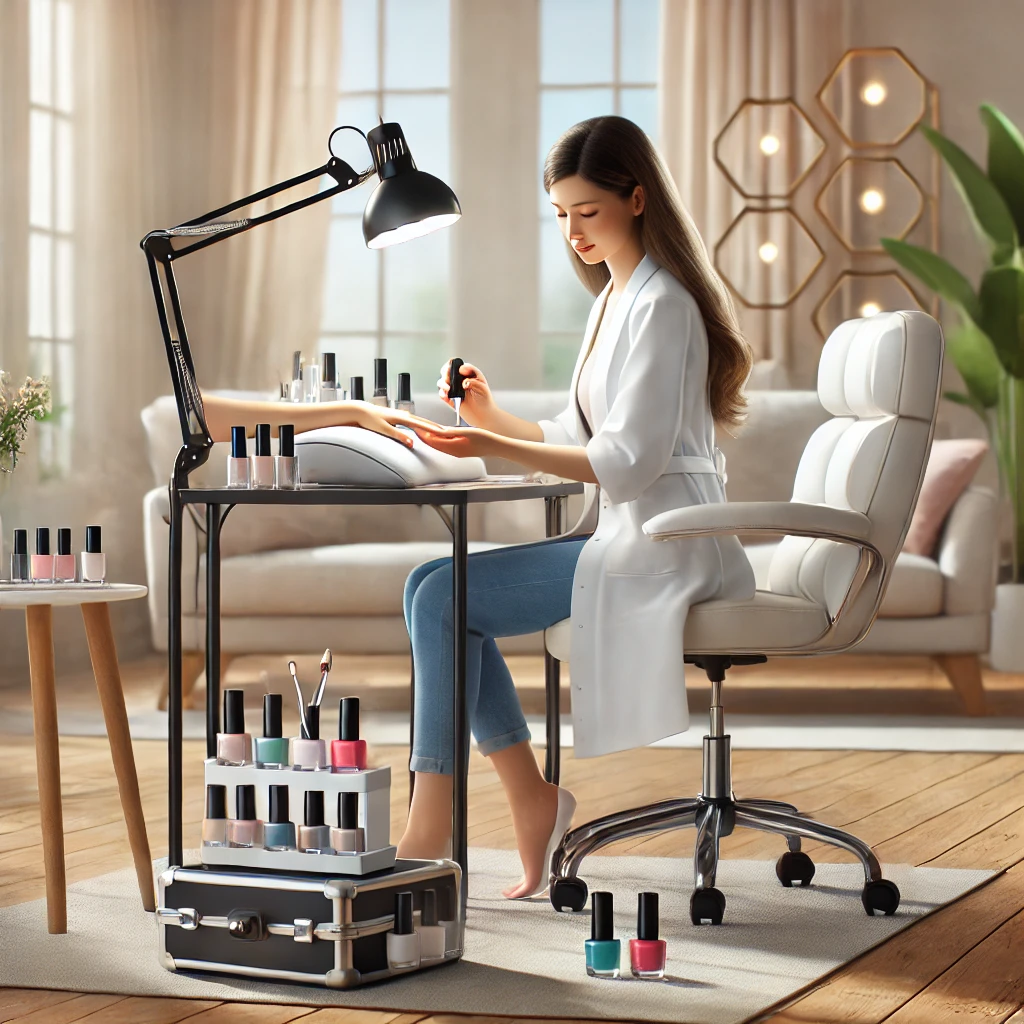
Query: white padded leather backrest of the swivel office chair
{"x": 879, "y": 377}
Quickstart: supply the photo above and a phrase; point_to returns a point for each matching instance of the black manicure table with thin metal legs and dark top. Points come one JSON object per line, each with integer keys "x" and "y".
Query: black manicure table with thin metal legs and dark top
{"x": 451, "y": 501}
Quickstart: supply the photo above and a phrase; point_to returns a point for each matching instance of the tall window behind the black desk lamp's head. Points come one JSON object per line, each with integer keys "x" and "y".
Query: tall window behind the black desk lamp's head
{"x": 392, "y": 303}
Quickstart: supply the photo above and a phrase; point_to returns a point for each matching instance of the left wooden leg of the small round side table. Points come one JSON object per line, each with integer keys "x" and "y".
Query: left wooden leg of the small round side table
{"x": 39, "y": 626}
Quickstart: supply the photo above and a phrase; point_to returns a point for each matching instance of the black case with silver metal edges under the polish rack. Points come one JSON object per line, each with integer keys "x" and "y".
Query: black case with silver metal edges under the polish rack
{"x": 315, "y": 929}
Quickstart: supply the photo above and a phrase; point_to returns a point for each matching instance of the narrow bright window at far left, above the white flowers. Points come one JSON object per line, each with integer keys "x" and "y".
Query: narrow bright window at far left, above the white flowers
{"x": 52, "y": 222}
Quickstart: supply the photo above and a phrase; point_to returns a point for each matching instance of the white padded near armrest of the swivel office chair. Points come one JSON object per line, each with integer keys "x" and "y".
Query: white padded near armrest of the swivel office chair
{"x": 797, "y": 519}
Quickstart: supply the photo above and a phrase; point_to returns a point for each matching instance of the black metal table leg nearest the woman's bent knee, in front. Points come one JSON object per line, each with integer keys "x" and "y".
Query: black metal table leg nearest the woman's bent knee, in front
{"x": 460, "y": 789}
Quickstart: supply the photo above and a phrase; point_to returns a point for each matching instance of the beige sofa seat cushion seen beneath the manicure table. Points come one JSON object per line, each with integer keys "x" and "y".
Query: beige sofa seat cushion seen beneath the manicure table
{"x": 340, "y": 580}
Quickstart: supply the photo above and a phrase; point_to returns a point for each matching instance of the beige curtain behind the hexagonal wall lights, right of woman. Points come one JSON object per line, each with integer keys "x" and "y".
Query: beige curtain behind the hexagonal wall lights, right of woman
{"x": 715, "y": 55}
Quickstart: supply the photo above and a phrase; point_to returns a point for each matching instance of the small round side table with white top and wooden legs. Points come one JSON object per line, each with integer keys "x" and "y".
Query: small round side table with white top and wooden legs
{"x": 38, "y": 601}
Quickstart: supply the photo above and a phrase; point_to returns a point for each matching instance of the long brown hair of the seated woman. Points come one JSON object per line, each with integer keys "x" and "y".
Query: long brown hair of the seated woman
{"x": 616, "y": 155}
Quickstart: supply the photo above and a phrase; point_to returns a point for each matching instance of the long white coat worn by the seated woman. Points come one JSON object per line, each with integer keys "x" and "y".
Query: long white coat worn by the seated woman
{"x": 653, "y": 450}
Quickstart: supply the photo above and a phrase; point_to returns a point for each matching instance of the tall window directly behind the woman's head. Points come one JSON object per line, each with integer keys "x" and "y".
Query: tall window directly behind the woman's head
{"x": 598, "y": 57}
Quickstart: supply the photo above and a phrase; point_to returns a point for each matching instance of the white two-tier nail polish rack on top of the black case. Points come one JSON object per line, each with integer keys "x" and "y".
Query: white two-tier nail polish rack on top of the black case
{"x": 374, "y": 786}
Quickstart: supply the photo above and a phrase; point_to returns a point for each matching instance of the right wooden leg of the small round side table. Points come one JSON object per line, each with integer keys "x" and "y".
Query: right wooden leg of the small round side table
{"x": 108, "y": 676}
